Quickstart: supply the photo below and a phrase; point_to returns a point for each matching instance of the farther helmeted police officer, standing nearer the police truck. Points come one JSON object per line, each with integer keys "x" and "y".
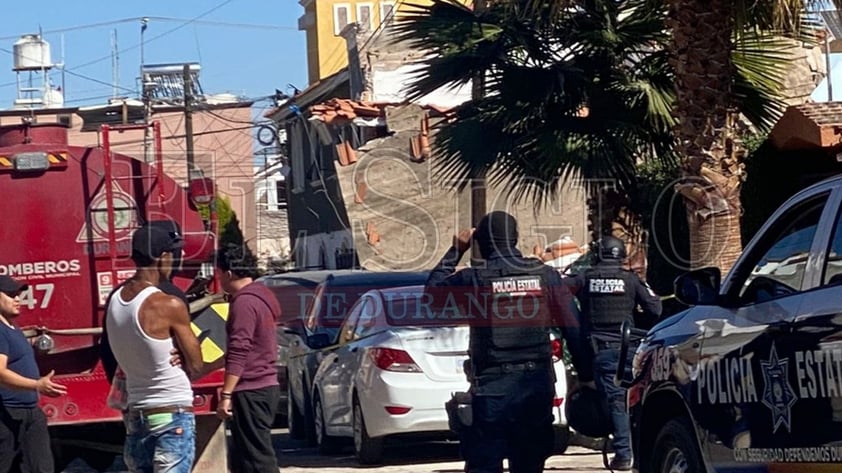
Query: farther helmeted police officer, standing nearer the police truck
{"x": 609, "y": 296}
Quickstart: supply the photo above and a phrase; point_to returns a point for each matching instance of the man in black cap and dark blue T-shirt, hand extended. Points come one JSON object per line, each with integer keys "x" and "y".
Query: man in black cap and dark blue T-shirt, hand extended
{"x": 24, "y": 438}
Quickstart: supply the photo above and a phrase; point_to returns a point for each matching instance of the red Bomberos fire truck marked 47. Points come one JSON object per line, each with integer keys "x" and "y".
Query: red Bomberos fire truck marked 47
{"x": 67, "y": 218}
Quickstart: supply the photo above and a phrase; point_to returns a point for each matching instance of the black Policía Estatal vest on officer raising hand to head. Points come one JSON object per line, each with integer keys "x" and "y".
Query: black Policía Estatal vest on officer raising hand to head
{"x": 518, "y": 319}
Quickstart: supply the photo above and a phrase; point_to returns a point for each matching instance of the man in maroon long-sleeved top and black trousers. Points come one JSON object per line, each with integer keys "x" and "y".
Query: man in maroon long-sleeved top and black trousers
{"x": 250, "y": 393}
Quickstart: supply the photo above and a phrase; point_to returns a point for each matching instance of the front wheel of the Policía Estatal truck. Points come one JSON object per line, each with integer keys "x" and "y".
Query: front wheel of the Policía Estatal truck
{"x": 676, "y": 450}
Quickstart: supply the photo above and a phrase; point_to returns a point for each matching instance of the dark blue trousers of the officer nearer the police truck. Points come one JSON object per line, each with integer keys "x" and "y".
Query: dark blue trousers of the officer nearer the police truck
{"x": 605, "y": 366}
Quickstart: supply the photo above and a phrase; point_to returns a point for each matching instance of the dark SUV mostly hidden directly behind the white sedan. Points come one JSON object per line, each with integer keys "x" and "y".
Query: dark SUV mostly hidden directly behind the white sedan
{"x": 318, "y": 331}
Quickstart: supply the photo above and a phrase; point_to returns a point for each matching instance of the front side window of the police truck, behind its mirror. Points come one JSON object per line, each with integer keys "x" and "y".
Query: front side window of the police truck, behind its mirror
{"x": 780, "y": 261}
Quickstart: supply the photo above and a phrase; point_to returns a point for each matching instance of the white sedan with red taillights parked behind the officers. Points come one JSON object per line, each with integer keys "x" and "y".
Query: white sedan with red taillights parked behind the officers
{"x": 383, "y": 380}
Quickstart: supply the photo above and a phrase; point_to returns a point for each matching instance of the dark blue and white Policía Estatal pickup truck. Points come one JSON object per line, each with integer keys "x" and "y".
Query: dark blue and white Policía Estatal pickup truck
{"x": 750, "y": 378}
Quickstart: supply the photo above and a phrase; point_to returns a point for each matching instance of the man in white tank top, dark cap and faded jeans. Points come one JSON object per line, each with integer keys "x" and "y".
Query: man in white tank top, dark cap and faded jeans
{"x": 144, "y": 326}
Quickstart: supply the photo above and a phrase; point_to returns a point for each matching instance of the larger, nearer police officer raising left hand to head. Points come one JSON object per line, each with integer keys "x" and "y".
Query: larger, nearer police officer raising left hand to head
{"x": 510, "y": 360}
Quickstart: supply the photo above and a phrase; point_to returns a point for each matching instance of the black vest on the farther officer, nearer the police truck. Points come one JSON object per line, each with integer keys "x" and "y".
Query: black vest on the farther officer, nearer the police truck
{"x": 607, "y": 298}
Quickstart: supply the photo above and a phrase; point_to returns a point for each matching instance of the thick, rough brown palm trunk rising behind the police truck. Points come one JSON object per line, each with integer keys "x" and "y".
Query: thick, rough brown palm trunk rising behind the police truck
{"x": 711, "y": 154}
